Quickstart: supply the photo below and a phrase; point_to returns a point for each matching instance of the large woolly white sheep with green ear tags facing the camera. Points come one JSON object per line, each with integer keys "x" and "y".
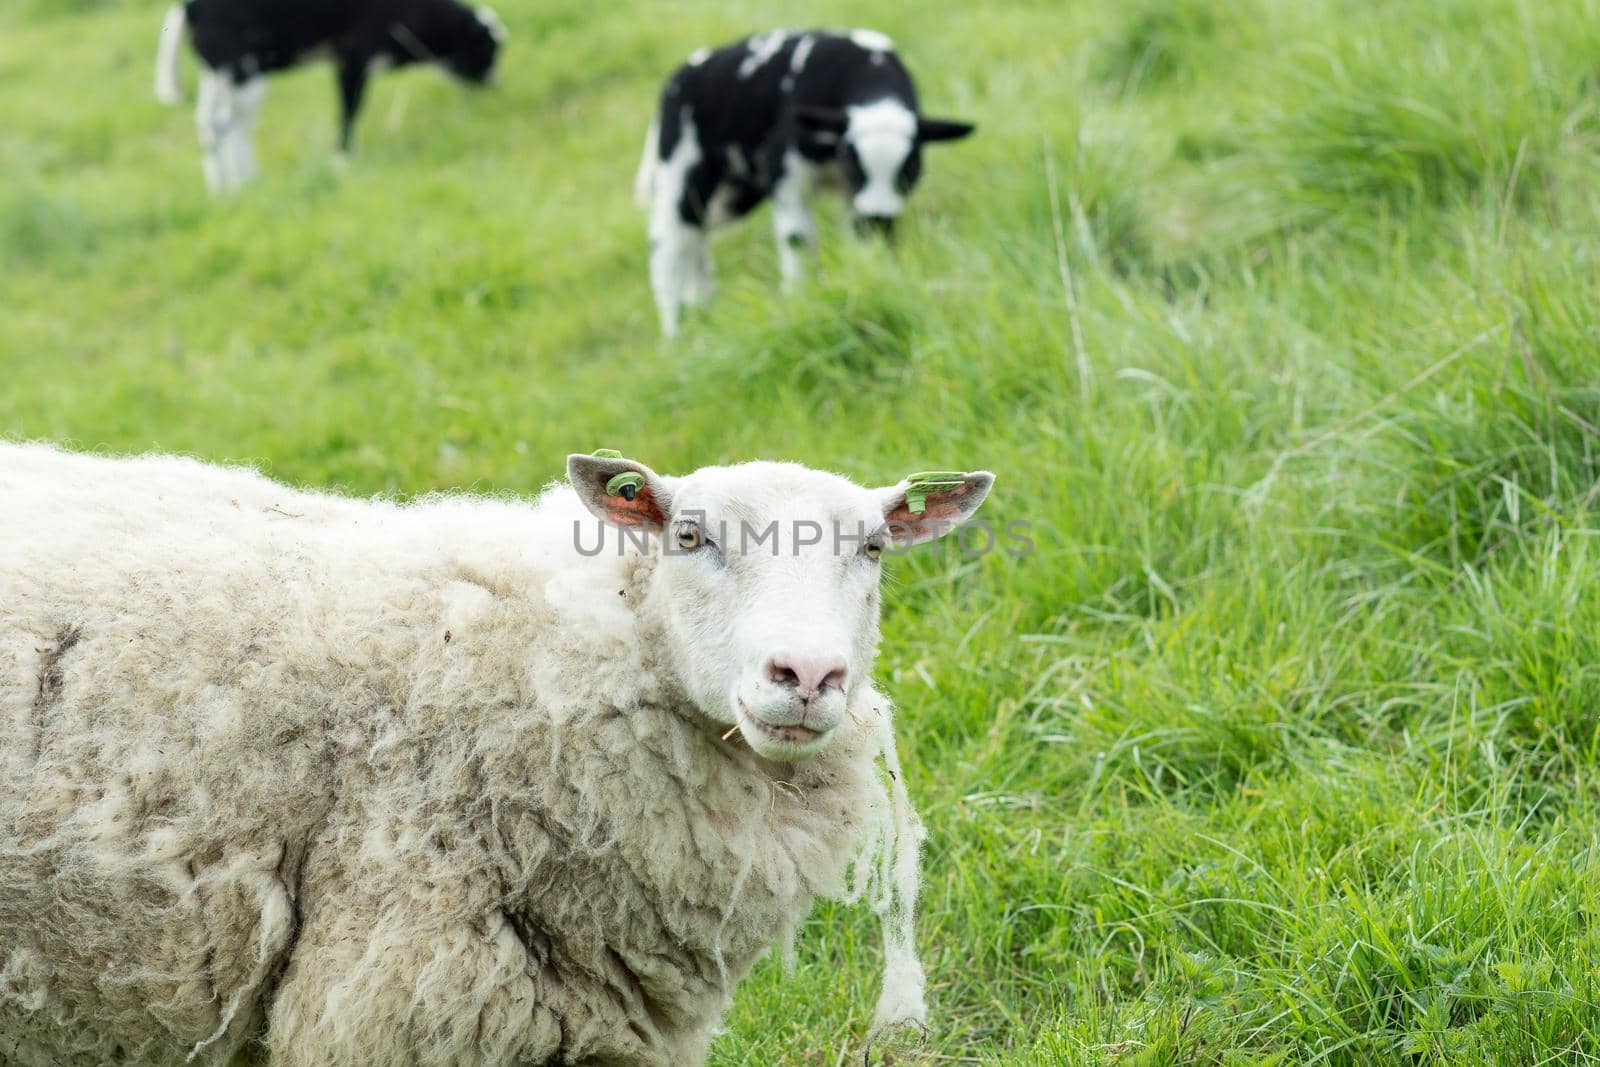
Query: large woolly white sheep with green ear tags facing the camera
{"x": 466, "y": 781}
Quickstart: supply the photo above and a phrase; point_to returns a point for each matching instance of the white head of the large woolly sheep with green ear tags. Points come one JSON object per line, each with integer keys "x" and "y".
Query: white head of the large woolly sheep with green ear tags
{"x": 769, "y": 581}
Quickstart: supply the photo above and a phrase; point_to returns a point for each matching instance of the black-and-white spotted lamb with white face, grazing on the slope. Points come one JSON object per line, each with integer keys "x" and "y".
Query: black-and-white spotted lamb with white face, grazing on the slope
{"x": 770, "y": 116}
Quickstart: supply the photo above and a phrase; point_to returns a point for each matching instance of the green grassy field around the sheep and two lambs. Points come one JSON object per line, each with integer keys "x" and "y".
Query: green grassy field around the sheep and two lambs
{"x": 1279, "y": 322}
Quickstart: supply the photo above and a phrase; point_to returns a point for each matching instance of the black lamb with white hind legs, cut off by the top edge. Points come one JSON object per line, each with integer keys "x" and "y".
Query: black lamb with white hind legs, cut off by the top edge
{"x": 241, "y": 42}
